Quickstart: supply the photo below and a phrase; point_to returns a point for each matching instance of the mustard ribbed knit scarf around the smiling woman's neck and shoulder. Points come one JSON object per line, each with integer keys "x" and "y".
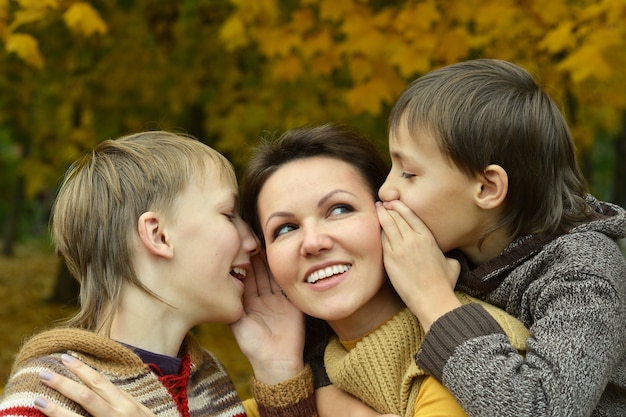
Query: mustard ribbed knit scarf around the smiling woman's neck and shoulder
{"x": 380, "y": 369}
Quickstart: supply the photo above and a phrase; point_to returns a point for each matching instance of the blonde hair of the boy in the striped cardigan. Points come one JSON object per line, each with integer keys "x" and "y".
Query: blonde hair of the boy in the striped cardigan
{"x": 102, "y": 196}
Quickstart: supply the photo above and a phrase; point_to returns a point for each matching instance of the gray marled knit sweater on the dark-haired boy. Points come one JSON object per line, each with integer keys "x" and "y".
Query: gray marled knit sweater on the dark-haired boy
{"x": 570, "y": 290}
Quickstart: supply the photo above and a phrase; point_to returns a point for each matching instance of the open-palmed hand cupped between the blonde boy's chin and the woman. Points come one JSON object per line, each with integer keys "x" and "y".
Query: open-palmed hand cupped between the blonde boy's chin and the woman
{"x": 271, "y": 331}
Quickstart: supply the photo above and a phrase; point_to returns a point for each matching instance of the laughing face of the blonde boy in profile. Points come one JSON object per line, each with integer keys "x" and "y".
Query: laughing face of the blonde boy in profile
{"x": 212, "y": 249}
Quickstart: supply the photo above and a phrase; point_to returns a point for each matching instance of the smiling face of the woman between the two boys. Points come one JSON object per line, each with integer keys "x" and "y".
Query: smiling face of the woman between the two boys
{"x": 322, "y": 236}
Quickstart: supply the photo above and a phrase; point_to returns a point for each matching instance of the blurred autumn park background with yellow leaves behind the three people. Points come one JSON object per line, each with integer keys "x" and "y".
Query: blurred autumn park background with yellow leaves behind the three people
{"x": 74, "y": 73}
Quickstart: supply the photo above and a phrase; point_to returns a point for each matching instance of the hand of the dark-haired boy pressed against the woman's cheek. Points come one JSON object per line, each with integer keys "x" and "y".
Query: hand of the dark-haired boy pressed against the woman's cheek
{"x": 421, "y": 274}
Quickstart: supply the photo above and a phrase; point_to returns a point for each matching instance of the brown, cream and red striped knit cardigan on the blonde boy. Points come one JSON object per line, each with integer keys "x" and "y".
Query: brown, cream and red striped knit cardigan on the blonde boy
{"x": 209, "y": 389}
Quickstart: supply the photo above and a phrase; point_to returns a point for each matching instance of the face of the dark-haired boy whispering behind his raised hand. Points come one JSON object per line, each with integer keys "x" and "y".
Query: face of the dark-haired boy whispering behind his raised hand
{"x": 439, "y": 193}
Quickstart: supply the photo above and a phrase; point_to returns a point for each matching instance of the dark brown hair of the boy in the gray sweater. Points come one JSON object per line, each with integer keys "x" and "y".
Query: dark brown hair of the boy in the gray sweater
{"x": 488, "y": 111}
